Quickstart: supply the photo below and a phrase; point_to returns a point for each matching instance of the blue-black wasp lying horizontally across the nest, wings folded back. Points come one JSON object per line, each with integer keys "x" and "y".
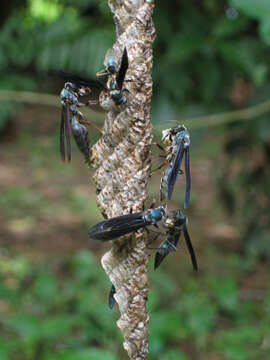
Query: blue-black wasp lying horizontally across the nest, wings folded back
{"x": 125, "y": 224}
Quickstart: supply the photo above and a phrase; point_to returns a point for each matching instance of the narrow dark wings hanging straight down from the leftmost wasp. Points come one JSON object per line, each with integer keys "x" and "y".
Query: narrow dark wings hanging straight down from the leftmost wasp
{"x": 65, "y": 133}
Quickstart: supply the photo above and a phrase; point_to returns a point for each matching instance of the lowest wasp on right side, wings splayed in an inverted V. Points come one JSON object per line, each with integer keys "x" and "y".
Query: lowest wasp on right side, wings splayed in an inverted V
{"x": 175, "y": 224}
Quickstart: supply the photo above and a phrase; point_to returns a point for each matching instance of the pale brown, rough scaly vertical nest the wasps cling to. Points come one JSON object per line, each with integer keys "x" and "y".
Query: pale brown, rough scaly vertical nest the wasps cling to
{"x": 122, "y": 161}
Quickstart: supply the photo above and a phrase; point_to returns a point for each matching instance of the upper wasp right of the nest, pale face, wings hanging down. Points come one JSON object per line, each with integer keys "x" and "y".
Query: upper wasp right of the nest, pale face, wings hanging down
{"x": 178, "y": 140}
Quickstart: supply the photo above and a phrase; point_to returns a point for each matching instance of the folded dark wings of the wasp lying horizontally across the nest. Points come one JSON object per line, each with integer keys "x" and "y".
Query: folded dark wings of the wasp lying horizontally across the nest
{"x": 116, "y": 227}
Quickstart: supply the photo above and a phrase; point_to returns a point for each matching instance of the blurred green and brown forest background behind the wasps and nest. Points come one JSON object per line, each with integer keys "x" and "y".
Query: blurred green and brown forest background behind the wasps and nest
{"x": 210, "y": 57}
